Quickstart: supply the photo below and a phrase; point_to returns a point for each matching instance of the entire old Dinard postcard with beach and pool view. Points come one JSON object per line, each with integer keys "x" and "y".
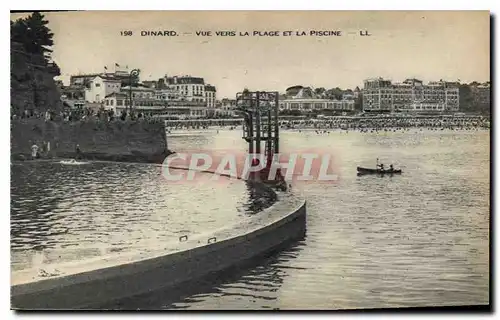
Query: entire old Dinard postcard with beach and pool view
{"x": 250, "y": 160}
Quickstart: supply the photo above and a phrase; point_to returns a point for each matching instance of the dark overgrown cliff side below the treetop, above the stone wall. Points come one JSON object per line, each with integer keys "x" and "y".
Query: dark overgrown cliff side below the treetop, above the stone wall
{"x": 32, "y": 85}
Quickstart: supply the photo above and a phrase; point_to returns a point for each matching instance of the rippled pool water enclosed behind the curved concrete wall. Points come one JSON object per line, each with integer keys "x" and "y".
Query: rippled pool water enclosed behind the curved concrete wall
{"x": 75, "y": 212}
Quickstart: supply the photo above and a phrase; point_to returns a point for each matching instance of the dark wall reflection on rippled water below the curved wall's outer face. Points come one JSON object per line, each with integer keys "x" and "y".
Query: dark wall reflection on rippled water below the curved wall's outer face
{"x": 257, "y": 284}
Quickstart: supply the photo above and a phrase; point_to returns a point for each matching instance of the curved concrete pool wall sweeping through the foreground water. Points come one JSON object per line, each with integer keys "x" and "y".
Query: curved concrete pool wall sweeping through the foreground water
{"x": 95, "y": 282}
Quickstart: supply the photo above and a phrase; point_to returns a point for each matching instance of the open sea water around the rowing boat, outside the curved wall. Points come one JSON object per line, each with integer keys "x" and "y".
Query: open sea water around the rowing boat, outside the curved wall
{"x": 419, "y": 239}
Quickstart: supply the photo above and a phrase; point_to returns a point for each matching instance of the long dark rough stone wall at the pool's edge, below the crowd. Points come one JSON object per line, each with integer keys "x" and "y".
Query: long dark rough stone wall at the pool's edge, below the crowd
{"x": 130, "y": 141}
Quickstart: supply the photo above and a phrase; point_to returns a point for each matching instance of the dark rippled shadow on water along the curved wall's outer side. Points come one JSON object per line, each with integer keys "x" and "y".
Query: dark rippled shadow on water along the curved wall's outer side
{"x": 265, "y": 270}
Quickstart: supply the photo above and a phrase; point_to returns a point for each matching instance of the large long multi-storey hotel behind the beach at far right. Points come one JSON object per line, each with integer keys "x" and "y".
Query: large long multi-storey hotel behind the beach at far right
{"x": 412, "y": 95}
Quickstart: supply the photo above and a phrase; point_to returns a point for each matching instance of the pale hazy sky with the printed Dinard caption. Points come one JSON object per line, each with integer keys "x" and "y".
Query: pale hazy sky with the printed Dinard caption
{"x": 428, "y": 45}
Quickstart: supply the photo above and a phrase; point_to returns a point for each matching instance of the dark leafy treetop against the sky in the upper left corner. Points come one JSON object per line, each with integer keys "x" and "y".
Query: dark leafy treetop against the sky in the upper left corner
{"x": 32, "y": 32}
